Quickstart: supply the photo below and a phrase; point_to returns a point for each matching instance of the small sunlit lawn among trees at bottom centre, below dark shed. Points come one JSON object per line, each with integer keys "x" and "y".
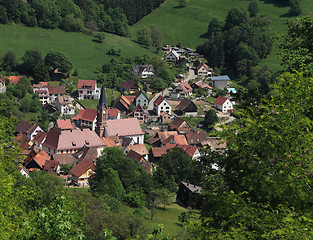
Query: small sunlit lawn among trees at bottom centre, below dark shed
{"x": 167, "y": 217}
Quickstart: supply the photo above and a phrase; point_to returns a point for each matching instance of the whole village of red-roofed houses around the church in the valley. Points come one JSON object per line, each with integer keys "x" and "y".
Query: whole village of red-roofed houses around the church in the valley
{"x": 143, "y": 129}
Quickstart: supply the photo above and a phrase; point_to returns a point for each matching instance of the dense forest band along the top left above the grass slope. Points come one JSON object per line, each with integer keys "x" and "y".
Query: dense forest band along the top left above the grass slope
{"x": 77, "y": 15}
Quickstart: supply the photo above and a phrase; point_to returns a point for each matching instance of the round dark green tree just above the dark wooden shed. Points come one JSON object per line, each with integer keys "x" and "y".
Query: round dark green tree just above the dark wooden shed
{"x": 177, "y": 163}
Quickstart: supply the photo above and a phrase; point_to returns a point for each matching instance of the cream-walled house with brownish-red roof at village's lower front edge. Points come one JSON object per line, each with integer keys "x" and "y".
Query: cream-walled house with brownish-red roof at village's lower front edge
{"x": 82, "y": 171}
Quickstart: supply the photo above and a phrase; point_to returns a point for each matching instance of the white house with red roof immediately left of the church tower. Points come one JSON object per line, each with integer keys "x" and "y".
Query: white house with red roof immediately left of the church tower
{"x": 86, "y": 118}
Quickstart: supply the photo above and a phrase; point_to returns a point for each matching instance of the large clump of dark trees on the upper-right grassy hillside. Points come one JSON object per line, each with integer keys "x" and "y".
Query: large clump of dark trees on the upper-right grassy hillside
{"x": 239, "y": 44}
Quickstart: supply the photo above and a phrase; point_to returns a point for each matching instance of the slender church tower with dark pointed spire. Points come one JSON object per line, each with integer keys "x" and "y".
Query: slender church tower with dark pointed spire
{"x": 102, "y": 114}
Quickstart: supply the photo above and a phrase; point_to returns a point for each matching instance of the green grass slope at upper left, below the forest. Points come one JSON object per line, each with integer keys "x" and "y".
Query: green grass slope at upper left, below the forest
{"x": 85, "y": 54}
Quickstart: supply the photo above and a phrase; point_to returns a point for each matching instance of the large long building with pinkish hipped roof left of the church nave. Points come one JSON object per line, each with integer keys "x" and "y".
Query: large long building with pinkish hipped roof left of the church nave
{"x": 71, "y": 141}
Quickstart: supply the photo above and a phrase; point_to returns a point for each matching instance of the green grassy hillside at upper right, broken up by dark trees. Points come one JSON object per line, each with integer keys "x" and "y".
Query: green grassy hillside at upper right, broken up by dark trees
{"x": 189, "y": 24}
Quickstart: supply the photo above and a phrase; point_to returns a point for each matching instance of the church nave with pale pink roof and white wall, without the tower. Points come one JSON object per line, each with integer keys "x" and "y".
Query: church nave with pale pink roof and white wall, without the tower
{"x": 124, "y": 128}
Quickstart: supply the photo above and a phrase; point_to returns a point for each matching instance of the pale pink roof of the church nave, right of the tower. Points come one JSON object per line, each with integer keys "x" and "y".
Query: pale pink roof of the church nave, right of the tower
{"x": 123, "y": 127}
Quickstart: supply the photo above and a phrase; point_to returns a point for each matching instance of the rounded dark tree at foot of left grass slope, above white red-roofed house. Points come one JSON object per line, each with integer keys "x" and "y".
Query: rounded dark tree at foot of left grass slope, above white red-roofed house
{"x": 57, "y": 60}
